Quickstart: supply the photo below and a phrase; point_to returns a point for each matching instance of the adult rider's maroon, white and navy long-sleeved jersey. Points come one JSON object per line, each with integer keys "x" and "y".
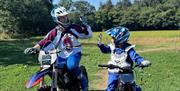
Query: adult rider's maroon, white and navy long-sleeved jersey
{"x": 69, "y": 37}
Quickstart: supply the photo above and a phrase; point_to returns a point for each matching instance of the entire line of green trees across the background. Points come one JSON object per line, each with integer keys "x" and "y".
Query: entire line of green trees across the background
{"x": 33, "y": 16}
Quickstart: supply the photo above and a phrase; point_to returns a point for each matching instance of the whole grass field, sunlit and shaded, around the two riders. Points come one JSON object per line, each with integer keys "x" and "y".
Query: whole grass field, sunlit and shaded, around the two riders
{"x": 162, "y": 48}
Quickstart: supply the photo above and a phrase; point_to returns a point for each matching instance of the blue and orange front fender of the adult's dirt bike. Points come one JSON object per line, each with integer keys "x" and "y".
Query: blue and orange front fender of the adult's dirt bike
{"x": 36, "y": 78}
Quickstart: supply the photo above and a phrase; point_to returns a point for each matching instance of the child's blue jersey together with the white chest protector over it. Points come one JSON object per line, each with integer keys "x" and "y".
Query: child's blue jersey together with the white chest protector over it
{"x": 123, "y": 57}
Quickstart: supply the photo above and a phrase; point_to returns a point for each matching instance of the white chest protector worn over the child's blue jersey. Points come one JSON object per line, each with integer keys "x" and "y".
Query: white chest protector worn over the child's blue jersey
{"x": 119, "y": 59}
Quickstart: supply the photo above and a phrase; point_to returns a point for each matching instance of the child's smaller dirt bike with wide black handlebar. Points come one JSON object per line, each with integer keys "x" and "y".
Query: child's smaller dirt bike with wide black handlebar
{"x": 126, "y": 80}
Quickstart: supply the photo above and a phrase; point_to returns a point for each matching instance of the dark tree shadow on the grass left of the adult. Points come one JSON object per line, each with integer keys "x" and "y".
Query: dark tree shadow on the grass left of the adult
{"x": 11, "y": 52}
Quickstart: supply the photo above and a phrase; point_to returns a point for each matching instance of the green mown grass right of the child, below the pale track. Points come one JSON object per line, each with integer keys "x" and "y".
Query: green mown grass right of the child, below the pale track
{"x": 164, "y": 71}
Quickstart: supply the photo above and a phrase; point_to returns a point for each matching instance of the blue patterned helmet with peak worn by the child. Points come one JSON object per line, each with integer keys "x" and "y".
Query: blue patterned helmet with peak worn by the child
{"x": 120, "y": 34}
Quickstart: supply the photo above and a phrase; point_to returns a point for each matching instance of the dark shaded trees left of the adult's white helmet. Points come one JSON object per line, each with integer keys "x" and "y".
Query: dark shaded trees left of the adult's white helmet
{"x": 24, "y": 16}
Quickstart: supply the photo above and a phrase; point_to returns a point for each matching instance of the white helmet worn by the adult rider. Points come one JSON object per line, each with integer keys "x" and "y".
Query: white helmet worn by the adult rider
{"x": 58, "y": 12}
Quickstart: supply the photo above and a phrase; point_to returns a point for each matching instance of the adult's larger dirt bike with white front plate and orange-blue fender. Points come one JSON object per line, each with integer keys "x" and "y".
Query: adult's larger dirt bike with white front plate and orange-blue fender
{"x": 61, "y": 78}
